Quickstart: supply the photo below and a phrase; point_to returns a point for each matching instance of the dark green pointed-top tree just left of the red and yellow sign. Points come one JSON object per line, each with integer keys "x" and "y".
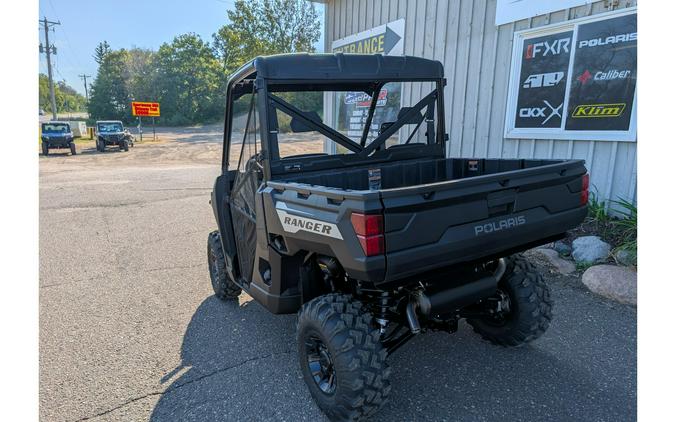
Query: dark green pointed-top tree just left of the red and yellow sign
{"x": 109, "y": 96}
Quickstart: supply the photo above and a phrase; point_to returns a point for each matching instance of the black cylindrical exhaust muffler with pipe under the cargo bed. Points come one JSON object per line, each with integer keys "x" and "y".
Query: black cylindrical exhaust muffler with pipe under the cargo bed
{"x": 448, "y": 300}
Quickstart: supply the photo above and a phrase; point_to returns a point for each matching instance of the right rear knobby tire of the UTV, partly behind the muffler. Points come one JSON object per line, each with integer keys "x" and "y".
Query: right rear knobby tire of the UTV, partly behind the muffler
{"x": 530, "y": 307}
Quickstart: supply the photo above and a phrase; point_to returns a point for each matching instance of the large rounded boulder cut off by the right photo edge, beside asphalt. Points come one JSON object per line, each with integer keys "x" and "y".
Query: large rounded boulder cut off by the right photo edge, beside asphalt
{"x": 611, "y": 281}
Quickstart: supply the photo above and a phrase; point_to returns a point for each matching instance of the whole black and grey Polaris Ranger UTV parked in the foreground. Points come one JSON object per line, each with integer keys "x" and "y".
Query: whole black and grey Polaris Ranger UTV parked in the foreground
{"x": 383, "y": 237}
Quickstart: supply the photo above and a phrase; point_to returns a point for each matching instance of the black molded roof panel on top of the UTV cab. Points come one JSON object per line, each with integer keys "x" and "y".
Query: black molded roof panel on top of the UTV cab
{"x": 339, "y": 67}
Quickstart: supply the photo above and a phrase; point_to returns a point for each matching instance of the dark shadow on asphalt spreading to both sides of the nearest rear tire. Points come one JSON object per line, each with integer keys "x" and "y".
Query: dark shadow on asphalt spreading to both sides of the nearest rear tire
{"x": 240, "y": 363}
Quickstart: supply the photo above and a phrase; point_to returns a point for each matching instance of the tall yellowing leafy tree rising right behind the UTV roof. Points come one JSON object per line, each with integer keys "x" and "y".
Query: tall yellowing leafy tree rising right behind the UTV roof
{"x": 262, "y": 27}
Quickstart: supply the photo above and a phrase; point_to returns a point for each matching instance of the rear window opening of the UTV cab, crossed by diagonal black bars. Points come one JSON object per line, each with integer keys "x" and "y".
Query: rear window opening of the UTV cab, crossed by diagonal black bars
{"x": 376, "y": 117}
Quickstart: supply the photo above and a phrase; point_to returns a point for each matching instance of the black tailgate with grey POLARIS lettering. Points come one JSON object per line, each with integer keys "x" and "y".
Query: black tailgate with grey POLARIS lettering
{"x": 439, "y": 224}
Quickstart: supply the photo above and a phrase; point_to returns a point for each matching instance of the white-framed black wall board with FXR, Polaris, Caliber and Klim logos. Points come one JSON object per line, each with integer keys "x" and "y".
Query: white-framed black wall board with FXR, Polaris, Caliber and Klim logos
{"x": 575, "y": 80}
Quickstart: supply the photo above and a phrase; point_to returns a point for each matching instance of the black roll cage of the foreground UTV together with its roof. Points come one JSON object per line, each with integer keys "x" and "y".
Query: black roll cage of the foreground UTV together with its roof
{"x": 266, "y": 77}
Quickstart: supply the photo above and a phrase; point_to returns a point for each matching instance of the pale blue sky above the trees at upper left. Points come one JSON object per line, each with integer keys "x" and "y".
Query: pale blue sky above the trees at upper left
{"x": 124, "y": 24}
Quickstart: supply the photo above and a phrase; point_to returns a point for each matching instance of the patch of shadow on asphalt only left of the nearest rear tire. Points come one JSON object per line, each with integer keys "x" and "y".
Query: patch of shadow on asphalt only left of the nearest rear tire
{"x": 231, "y": 354}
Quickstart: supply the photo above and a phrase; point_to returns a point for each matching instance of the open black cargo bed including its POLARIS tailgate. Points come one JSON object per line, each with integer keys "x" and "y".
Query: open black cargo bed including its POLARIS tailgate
{"x": 442, "y": 212}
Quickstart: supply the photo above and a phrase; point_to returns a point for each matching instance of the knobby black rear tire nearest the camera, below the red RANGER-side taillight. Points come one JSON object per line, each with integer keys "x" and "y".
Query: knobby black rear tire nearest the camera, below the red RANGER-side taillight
{"x": 356, "y": 356}
